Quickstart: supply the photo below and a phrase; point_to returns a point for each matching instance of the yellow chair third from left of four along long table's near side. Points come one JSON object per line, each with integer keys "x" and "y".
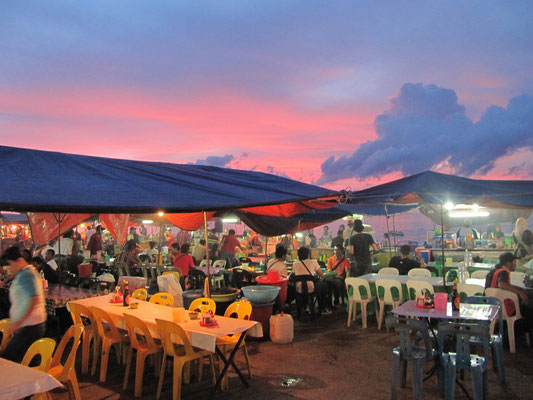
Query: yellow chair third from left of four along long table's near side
{"x": 142, "y": 341}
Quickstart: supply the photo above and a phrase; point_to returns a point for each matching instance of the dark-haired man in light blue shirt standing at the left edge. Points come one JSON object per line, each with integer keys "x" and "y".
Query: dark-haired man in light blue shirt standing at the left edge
{"x": 27, "y": 312}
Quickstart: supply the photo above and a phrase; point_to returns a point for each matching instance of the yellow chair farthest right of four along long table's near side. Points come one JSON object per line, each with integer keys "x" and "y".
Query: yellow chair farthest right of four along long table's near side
{"x": 182, "y": 353}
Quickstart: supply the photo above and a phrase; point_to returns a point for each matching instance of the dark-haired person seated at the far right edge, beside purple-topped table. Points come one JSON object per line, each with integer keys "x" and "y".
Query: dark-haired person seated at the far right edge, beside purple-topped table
{"x": 500, "y": 277}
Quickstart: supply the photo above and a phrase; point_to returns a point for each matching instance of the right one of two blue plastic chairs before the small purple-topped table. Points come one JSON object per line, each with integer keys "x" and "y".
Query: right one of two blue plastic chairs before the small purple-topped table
{"x": 462, "y": 358}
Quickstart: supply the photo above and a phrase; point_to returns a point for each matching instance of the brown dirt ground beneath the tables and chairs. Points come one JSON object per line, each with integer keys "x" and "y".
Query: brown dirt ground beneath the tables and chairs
{"x": 326, "y": 360}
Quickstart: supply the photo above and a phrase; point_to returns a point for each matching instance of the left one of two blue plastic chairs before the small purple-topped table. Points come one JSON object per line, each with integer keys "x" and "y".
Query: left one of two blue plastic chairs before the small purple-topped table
{"x": 411, "y": 332}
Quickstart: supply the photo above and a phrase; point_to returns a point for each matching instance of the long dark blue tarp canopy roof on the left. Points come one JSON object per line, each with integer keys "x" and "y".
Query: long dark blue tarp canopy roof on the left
{"x": 44, "y": 181}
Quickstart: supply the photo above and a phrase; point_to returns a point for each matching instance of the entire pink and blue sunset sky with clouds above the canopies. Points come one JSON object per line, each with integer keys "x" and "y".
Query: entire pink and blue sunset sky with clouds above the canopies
{"x": 338, "y": 93}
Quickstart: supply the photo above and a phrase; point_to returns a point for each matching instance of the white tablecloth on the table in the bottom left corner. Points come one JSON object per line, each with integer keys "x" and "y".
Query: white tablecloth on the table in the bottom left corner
{"x": 18, "y": 381}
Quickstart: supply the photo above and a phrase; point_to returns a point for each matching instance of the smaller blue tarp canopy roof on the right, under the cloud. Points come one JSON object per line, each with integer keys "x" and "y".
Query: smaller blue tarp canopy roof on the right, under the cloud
{"x": 435, "y": 188}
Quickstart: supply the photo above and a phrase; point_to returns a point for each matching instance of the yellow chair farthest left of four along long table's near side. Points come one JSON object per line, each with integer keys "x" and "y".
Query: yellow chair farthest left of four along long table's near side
{"x": 81, "y": 315}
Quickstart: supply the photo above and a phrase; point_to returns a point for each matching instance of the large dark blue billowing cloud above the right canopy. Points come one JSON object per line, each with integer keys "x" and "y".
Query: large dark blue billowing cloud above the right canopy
{"x": 426, "y": 126}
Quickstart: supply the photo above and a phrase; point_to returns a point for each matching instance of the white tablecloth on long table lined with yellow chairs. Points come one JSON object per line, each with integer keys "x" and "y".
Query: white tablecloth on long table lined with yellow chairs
{"x": 201, "y": 337}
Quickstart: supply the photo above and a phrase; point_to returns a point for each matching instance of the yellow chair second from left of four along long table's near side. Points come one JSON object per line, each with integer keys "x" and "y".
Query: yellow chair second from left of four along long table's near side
{"x": 109, "y": 335}
